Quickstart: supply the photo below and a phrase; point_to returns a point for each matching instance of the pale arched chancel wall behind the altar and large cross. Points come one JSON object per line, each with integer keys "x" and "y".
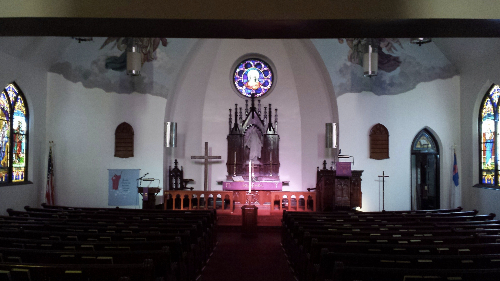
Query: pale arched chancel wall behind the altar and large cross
{"x": 303, "y": 95}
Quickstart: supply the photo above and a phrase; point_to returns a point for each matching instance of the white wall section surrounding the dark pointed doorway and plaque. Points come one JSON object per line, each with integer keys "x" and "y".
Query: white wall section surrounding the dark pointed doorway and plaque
{"x": 434, "y": 105}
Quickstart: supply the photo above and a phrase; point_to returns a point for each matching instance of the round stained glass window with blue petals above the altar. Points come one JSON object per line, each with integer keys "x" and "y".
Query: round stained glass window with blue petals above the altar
{"x": 253, "y": 76}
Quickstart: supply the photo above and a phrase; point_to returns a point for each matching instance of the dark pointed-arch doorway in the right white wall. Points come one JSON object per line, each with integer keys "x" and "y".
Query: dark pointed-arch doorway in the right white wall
{"x": 425, "y": 172}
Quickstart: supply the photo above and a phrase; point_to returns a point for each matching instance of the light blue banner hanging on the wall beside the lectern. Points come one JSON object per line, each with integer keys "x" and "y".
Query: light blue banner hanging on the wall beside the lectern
{"x": 122, "y": 187}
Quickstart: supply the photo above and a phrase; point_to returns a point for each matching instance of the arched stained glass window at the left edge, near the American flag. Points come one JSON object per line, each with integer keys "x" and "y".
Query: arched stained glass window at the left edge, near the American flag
{"x": 13, "y": 135}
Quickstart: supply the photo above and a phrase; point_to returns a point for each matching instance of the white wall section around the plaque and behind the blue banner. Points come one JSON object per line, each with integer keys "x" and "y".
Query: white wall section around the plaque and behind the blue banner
{"x": 82, "y": 124}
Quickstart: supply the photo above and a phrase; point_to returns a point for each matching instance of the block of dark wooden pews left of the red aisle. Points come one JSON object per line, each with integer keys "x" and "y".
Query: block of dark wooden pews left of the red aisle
{"x": 68, "y": 243}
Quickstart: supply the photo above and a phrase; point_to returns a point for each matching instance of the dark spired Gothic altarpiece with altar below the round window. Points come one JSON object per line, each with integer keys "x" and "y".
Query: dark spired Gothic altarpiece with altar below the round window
{"x": 253, "y": 136}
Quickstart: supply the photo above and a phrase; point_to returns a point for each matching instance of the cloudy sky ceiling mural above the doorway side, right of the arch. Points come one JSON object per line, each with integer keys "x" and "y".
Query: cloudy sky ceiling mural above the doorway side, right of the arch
{"x": 401, "y": 65}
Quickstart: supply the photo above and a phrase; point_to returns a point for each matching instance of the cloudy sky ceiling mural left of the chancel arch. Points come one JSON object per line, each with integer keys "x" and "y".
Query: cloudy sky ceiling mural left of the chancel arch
{"x": 101, "y": 64}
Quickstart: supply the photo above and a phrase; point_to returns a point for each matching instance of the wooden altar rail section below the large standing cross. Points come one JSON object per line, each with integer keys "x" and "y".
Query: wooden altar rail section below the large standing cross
{"x": 199, "y": 200}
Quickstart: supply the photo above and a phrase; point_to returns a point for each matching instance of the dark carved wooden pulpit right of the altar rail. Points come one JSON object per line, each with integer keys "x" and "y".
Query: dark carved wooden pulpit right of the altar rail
{"x": 338, "y": 192}
